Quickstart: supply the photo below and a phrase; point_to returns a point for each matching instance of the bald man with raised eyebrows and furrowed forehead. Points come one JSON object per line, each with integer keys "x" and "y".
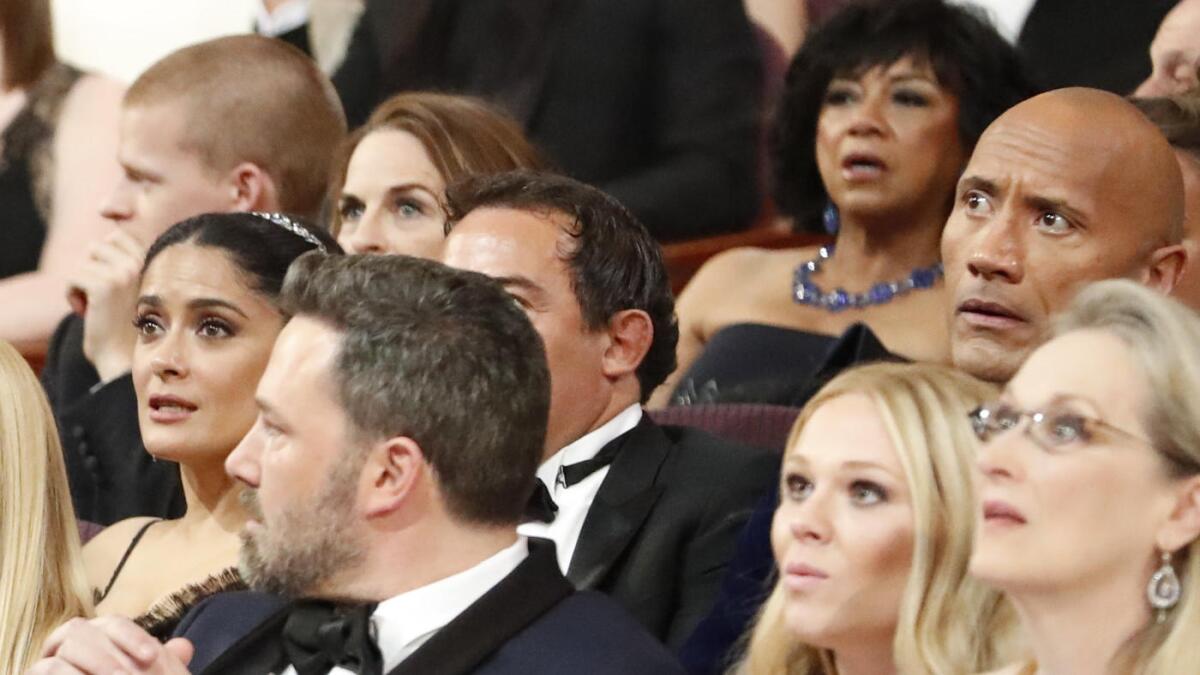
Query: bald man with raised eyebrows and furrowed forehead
{"x": 1069, "y": 188}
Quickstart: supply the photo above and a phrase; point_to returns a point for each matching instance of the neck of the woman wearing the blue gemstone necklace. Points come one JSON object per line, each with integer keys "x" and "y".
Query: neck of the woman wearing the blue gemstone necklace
{"x": 884, "y": 248}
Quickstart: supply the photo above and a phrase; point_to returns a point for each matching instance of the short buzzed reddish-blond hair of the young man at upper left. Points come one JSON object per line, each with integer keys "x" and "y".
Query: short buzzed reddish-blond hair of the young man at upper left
{"x": 253, "y": 99}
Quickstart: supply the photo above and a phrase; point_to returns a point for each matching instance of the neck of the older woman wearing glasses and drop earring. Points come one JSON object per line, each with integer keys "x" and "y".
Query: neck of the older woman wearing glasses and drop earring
{"x": 1081, "y": 631}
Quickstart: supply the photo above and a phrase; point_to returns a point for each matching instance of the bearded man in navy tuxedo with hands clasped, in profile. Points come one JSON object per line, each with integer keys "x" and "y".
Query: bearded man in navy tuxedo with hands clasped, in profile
{"x": 401, "y": 421}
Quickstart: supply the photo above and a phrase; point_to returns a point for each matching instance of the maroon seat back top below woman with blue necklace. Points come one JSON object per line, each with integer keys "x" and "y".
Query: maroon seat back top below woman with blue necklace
{"x": 753, "y": 425}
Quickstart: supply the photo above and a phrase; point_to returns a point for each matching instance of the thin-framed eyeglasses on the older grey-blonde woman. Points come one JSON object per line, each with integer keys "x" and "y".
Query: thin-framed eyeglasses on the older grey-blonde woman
{"x": 1054, "y": 429}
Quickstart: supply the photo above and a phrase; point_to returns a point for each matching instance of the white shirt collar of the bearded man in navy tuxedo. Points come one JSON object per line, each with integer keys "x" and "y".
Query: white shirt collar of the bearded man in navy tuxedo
{"x": 407, "y": 622}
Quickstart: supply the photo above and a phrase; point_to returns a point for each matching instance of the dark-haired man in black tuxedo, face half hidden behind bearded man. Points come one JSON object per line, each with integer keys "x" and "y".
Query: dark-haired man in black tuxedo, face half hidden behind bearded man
{"x": 644, "y": 513}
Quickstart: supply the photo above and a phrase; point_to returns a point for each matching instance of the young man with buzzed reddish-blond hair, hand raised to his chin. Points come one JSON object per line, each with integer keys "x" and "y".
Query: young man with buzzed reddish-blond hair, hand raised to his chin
{"x": 233, "y": 124}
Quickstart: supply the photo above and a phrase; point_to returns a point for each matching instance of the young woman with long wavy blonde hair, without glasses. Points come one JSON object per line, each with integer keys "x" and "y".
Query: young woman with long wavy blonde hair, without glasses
{"x": 874, "y": 531}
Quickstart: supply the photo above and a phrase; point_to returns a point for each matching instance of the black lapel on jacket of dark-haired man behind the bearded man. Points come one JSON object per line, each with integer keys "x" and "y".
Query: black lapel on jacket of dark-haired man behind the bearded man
{"x": 626, "y": 498}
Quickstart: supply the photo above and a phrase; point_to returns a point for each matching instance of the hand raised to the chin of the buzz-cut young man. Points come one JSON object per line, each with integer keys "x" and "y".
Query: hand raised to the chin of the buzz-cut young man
{"x": 110, "y": 284}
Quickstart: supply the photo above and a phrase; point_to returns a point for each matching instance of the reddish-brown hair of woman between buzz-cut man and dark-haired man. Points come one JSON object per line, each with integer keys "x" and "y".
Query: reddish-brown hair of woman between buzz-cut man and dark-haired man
{"x": 463, "y": 135}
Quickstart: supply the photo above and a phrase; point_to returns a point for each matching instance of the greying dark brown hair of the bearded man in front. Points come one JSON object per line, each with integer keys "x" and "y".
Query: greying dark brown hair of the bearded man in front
{"x": 443, "y": 357}
